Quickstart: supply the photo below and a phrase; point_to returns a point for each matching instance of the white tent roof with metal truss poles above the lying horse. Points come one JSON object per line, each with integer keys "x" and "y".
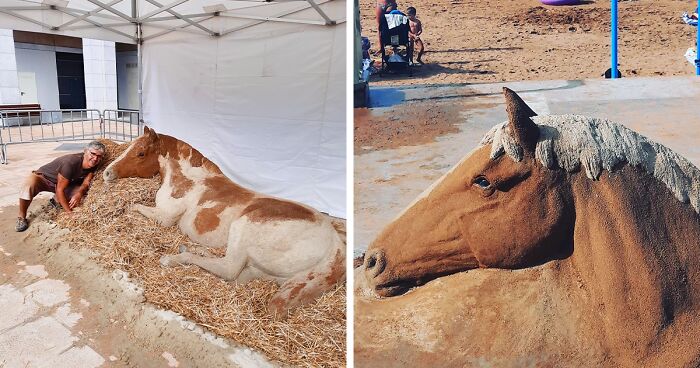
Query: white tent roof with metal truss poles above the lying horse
{"x": 116, "y": 20}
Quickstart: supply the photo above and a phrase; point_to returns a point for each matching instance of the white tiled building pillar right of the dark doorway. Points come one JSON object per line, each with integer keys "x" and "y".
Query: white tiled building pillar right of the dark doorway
{"x": 100, "y": 74}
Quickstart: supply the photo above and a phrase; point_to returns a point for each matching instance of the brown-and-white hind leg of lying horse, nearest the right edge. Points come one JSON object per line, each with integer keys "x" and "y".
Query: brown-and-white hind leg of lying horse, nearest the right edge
{"x": 307, "y": 286}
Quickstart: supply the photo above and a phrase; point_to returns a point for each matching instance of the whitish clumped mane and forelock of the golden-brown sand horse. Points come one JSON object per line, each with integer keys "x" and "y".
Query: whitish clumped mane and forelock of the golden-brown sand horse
{"x": 572, "y": 142}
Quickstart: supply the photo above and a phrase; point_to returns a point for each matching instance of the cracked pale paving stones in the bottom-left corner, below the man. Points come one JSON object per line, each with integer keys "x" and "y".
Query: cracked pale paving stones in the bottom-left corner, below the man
{"x": 37, "y": 325}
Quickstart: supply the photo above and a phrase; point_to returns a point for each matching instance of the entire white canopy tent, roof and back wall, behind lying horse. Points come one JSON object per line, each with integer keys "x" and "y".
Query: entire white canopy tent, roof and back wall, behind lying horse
{"x": 257, "y": 86}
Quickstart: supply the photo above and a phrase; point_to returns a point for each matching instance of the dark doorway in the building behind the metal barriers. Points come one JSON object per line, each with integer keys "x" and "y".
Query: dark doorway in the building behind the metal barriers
{"x": 71, "y": 80}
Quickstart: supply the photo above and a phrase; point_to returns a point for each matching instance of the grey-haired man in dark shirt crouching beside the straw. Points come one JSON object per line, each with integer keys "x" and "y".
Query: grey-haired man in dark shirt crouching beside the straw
{"x": 68, "y": 177}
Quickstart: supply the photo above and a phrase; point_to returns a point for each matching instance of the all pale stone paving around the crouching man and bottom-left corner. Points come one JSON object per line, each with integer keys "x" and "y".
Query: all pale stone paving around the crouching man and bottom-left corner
{"x": 39, "y": 315}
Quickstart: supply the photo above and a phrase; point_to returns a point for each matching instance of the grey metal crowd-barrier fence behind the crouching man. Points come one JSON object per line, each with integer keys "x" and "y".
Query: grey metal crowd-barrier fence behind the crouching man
{"x": 31, "y": 126}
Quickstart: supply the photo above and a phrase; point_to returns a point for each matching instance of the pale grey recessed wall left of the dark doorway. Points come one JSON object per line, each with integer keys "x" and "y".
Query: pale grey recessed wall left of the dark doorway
{"x": 41, "y": 60}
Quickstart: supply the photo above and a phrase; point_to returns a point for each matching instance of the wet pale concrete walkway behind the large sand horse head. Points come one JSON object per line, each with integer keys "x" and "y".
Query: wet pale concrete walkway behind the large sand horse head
{"x": 663, "y": 109}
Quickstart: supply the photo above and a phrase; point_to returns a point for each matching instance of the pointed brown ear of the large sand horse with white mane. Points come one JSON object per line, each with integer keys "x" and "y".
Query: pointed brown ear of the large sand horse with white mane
{"x": 524, "y": 130}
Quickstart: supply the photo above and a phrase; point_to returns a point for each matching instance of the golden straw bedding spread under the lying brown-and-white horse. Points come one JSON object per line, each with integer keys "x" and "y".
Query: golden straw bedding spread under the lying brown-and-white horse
{"x": 313, "y": 335}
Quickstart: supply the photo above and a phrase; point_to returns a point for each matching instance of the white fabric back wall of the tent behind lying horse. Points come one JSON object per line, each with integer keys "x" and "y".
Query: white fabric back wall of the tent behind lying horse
{"x": 266, "y": 104}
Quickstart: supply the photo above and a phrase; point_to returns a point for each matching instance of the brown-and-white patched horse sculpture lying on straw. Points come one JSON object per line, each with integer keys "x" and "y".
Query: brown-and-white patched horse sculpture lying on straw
{"x": 265, "y": 237}
